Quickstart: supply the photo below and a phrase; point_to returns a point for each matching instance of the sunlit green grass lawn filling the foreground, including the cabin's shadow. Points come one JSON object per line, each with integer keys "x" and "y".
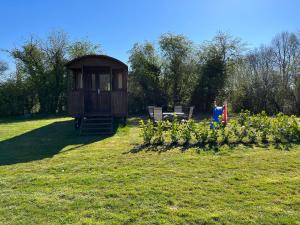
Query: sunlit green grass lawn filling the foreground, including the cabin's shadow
{"x": 50, "y": 175}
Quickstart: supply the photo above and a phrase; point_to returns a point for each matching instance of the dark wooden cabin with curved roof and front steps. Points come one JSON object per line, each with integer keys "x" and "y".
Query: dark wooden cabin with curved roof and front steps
{"x": 97, "y": 92}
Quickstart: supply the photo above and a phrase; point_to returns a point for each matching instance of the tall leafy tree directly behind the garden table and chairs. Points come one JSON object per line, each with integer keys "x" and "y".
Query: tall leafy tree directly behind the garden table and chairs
{"x": 179, "y": 67}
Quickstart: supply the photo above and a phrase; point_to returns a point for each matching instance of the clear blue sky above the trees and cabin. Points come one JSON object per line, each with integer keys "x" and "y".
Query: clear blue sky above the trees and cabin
{"x": 117, "y": 25}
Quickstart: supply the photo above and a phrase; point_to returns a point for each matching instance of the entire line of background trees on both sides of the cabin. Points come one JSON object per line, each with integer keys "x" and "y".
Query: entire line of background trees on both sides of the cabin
{"x": 176, "y": 71}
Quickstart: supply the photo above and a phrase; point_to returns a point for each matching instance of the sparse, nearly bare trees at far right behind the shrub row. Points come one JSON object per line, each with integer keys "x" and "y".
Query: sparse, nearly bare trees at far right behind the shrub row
{"x": 268, "y": 79}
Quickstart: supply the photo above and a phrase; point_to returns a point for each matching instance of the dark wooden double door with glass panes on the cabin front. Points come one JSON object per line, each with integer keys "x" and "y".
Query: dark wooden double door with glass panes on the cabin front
{"x": 97, "y": 86}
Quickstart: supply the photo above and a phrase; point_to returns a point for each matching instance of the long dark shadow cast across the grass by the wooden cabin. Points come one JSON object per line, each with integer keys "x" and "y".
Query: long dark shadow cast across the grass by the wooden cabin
{"x": 43, "y": 142}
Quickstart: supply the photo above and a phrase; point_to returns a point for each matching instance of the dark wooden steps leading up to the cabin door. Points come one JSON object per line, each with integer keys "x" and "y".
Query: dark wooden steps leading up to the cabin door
{"x": 97, "y": 125}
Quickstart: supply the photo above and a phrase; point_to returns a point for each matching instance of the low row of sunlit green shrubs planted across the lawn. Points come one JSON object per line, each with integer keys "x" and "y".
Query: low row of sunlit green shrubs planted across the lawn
{"x": 244, "y": 129}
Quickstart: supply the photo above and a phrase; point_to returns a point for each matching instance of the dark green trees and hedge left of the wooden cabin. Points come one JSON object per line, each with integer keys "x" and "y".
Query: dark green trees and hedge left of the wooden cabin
{"x": 39, "y": 82}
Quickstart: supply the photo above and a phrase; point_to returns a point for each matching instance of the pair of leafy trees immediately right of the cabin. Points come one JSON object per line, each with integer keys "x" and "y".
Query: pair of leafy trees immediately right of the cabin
{"x": 163, "y": 76}
